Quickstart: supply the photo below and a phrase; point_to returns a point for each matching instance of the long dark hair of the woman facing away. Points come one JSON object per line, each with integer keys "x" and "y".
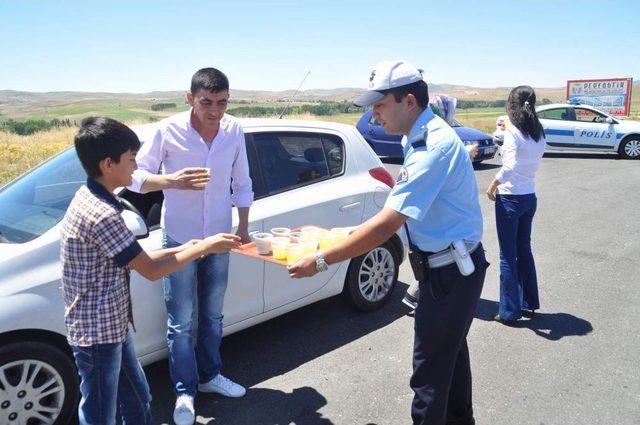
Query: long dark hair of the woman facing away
{"x": 521, "y": 107}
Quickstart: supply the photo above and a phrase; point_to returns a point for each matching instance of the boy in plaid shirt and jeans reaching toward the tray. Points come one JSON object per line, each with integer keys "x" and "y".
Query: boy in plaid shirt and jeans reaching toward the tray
{"x": 97, "y": 252}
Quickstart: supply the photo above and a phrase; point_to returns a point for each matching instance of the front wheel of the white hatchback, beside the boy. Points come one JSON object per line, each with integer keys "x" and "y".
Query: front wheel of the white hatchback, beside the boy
{"x": 38, "y": 384}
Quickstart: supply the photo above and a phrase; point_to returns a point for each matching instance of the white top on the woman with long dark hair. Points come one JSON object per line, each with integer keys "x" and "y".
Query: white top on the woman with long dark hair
{"x": 521, "y": 158}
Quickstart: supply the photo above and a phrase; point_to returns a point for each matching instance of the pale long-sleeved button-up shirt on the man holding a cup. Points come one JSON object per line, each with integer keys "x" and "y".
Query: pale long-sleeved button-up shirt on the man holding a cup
{"x": 196, "y": 214}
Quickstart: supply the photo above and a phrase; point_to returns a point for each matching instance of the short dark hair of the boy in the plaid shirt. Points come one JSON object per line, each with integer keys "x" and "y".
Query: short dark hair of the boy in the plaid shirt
{"x": 100, "y": 138}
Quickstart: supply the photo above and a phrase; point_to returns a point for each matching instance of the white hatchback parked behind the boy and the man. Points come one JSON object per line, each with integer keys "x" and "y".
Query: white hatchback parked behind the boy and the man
{"x": 303, "y": 173}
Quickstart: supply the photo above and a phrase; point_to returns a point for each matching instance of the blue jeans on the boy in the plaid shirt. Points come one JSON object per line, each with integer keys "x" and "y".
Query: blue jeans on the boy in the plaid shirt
{"x": 112, "y": 384}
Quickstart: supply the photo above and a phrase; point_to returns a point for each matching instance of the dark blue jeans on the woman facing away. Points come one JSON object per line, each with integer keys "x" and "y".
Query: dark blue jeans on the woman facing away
{"x": 518, "y": 280}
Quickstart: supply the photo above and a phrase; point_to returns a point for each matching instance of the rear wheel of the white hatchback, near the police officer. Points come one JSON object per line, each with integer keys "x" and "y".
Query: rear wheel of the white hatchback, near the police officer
{"x": 372, "y": 277}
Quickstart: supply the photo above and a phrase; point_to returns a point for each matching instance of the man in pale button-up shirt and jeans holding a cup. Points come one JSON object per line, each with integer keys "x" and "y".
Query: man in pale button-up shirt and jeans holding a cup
{"x": 198, "y": 159}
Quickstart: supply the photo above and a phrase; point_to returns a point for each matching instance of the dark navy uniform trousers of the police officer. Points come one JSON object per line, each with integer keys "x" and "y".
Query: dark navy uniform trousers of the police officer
{"x": 441, "y": 377}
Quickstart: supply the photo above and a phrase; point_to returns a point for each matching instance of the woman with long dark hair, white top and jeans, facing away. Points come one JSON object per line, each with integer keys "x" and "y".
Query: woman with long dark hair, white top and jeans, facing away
{"x": 513, "y": 190}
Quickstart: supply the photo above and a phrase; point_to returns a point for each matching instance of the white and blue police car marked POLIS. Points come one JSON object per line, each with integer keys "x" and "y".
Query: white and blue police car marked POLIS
{"x": 585, "y": 128}
